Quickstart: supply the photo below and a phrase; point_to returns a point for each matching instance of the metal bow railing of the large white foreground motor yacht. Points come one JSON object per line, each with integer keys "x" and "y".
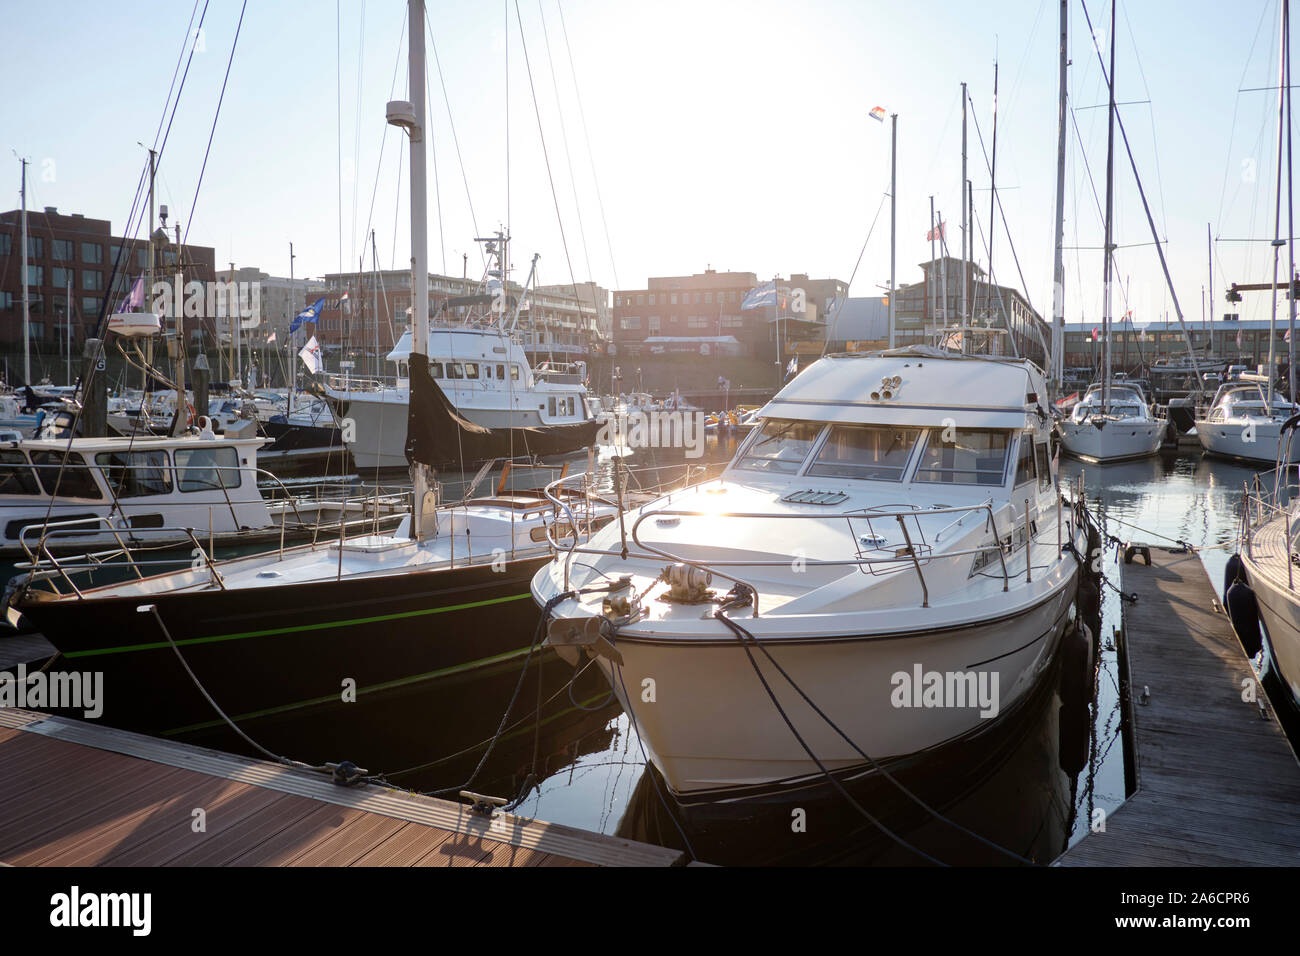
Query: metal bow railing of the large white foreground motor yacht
{"x": 916, "y": 552}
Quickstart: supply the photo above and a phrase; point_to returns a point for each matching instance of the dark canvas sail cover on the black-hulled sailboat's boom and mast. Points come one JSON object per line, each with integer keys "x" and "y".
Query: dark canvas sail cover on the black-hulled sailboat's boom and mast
{"x": 441, "y": 438}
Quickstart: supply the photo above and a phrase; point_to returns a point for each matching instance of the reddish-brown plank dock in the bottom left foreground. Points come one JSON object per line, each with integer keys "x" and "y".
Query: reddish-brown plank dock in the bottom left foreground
{"x": 77, "y": 794}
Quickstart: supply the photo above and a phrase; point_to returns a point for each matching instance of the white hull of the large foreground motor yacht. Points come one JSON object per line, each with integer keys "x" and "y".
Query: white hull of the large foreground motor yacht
{"x": 718, "y": 736}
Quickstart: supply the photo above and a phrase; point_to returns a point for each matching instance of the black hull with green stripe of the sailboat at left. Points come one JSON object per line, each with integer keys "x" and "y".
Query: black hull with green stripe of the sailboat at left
{"x": 281, "y": 648}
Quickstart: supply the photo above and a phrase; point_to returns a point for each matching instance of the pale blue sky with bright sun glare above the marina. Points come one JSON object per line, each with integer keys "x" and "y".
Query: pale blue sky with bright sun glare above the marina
{"x": 625, "y": 140}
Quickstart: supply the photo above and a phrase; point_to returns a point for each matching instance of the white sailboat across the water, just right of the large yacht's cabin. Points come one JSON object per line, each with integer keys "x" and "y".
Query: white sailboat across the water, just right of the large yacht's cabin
{"x": 1112, "y": 425}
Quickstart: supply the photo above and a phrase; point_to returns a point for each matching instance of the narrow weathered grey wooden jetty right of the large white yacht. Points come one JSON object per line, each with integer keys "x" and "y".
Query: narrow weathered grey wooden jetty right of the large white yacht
{"x": 1219, "y": 784}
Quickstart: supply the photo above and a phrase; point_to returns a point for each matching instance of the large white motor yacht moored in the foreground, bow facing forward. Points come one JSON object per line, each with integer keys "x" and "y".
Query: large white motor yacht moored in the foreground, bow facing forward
{"x": 894, "y": 524}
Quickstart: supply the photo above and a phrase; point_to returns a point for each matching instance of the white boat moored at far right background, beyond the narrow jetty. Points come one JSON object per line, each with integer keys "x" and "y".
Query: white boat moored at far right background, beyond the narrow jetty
{"x": 1243, "y": 425}
